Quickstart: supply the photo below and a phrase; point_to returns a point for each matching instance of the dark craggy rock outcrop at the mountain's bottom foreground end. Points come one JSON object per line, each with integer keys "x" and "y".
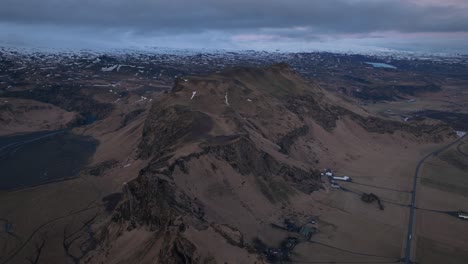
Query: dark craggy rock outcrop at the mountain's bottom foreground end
{"x": 155, "y": 204}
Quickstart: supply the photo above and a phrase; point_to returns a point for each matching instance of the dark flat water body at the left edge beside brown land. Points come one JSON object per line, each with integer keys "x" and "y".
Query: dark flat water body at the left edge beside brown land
{"x": 40, "y": 157}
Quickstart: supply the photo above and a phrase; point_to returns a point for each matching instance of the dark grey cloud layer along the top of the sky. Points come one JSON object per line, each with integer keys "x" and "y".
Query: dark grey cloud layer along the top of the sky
{"x": 321, "y": 17}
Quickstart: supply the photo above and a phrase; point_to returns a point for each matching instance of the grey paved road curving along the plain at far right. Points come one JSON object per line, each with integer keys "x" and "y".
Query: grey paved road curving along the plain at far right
{"x": 413, "y": 198}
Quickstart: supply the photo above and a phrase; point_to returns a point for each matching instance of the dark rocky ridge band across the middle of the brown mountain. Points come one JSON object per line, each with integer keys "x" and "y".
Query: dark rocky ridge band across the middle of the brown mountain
{"x": 245, "y": 158}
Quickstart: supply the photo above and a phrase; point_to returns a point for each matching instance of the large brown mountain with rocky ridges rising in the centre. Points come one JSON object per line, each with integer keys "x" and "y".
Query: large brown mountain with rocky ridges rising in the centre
{"x": 231, "y": 153}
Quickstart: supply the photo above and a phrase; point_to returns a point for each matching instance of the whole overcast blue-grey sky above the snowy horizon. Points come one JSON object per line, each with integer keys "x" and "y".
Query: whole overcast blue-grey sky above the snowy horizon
{"x": 360, "y": 25}
